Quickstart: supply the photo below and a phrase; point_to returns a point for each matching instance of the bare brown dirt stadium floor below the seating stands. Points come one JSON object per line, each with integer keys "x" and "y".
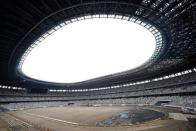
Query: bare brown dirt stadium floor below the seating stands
{"x": 85, "y": 119}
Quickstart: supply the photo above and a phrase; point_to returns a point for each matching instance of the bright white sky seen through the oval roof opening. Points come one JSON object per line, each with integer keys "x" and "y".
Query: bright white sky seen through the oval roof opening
{"x": 88, "y": 49}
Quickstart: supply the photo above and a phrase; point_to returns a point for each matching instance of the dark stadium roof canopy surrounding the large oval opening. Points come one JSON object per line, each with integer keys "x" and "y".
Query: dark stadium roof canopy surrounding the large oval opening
{"x": 24, "y": 21}
